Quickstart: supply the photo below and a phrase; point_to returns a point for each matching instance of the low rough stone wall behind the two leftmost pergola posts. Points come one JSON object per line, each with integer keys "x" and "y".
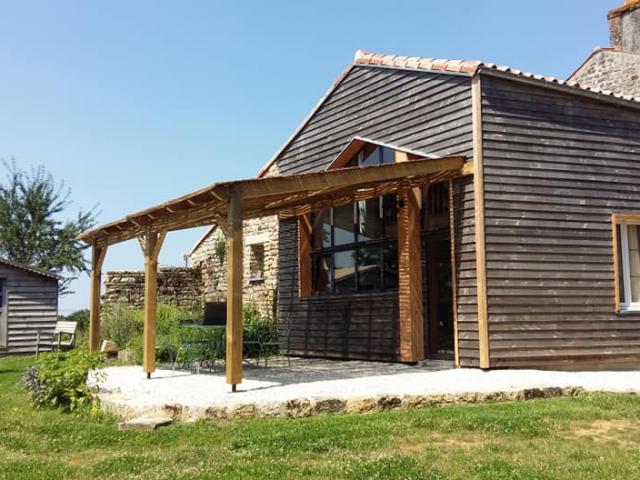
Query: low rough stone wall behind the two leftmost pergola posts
{"x": 179, "y": 286}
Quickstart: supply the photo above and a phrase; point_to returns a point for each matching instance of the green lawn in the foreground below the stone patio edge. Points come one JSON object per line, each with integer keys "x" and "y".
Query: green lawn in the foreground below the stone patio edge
{"x": 590, "y": 437}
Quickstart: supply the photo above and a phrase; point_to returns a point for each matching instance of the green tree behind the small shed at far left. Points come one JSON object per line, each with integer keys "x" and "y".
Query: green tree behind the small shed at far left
{"x": 32, "y": 231}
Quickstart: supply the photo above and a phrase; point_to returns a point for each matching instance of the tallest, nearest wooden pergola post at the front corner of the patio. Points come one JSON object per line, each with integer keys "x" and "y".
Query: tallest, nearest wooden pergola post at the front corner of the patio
{"x": 233, "y": 359}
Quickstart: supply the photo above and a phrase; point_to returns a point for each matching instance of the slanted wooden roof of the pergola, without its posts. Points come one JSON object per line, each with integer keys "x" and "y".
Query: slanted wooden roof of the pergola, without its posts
{"x": 287, "y": 196}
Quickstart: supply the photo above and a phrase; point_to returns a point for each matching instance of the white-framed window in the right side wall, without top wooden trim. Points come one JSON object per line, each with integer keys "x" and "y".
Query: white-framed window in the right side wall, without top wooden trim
{"x": 628, "y": 267}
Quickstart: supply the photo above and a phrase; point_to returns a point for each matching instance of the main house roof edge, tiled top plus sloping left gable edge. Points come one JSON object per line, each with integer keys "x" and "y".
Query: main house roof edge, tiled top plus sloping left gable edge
{"x": 453, "y": 67}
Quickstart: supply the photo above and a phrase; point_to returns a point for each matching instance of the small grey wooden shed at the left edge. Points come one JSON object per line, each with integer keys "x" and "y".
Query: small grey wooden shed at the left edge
{"x": 28, "y": 304}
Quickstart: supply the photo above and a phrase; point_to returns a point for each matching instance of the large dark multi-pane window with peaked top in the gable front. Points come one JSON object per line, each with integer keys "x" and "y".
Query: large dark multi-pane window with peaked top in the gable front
{"x": 354, "y": 247}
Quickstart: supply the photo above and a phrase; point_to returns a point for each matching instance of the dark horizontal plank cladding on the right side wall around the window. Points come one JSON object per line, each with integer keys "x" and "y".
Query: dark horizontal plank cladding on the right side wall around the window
{"x": 556, "y": 167}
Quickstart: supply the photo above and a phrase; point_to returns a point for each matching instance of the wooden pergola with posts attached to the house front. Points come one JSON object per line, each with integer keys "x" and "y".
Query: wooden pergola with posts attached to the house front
{"x": 227, "y": 204}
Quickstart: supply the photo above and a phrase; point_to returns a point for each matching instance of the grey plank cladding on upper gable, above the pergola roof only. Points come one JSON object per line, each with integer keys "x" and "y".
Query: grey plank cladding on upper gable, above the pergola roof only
{"x": 418, "y": 110}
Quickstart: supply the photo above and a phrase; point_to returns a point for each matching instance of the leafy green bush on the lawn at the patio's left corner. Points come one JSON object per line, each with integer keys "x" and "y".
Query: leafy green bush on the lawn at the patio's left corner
{"x": 60, "y": 379}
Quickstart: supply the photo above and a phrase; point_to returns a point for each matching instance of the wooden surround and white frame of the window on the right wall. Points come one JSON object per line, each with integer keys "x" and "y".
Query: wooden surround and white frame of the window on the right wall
{"x": 621, "y": 266}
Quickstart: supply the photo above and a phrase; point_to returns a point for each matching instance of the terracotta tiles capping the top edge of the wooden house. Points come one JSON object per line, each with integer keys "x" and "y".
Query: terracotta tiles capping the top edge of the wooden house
{"x": 470, "y": 67}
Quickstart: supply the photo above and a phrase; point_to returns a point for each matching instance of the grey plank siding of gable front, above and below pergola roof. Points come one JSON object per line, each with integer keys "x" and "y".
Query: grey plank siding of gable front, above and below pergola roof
{"x": 416, "y": 110}
